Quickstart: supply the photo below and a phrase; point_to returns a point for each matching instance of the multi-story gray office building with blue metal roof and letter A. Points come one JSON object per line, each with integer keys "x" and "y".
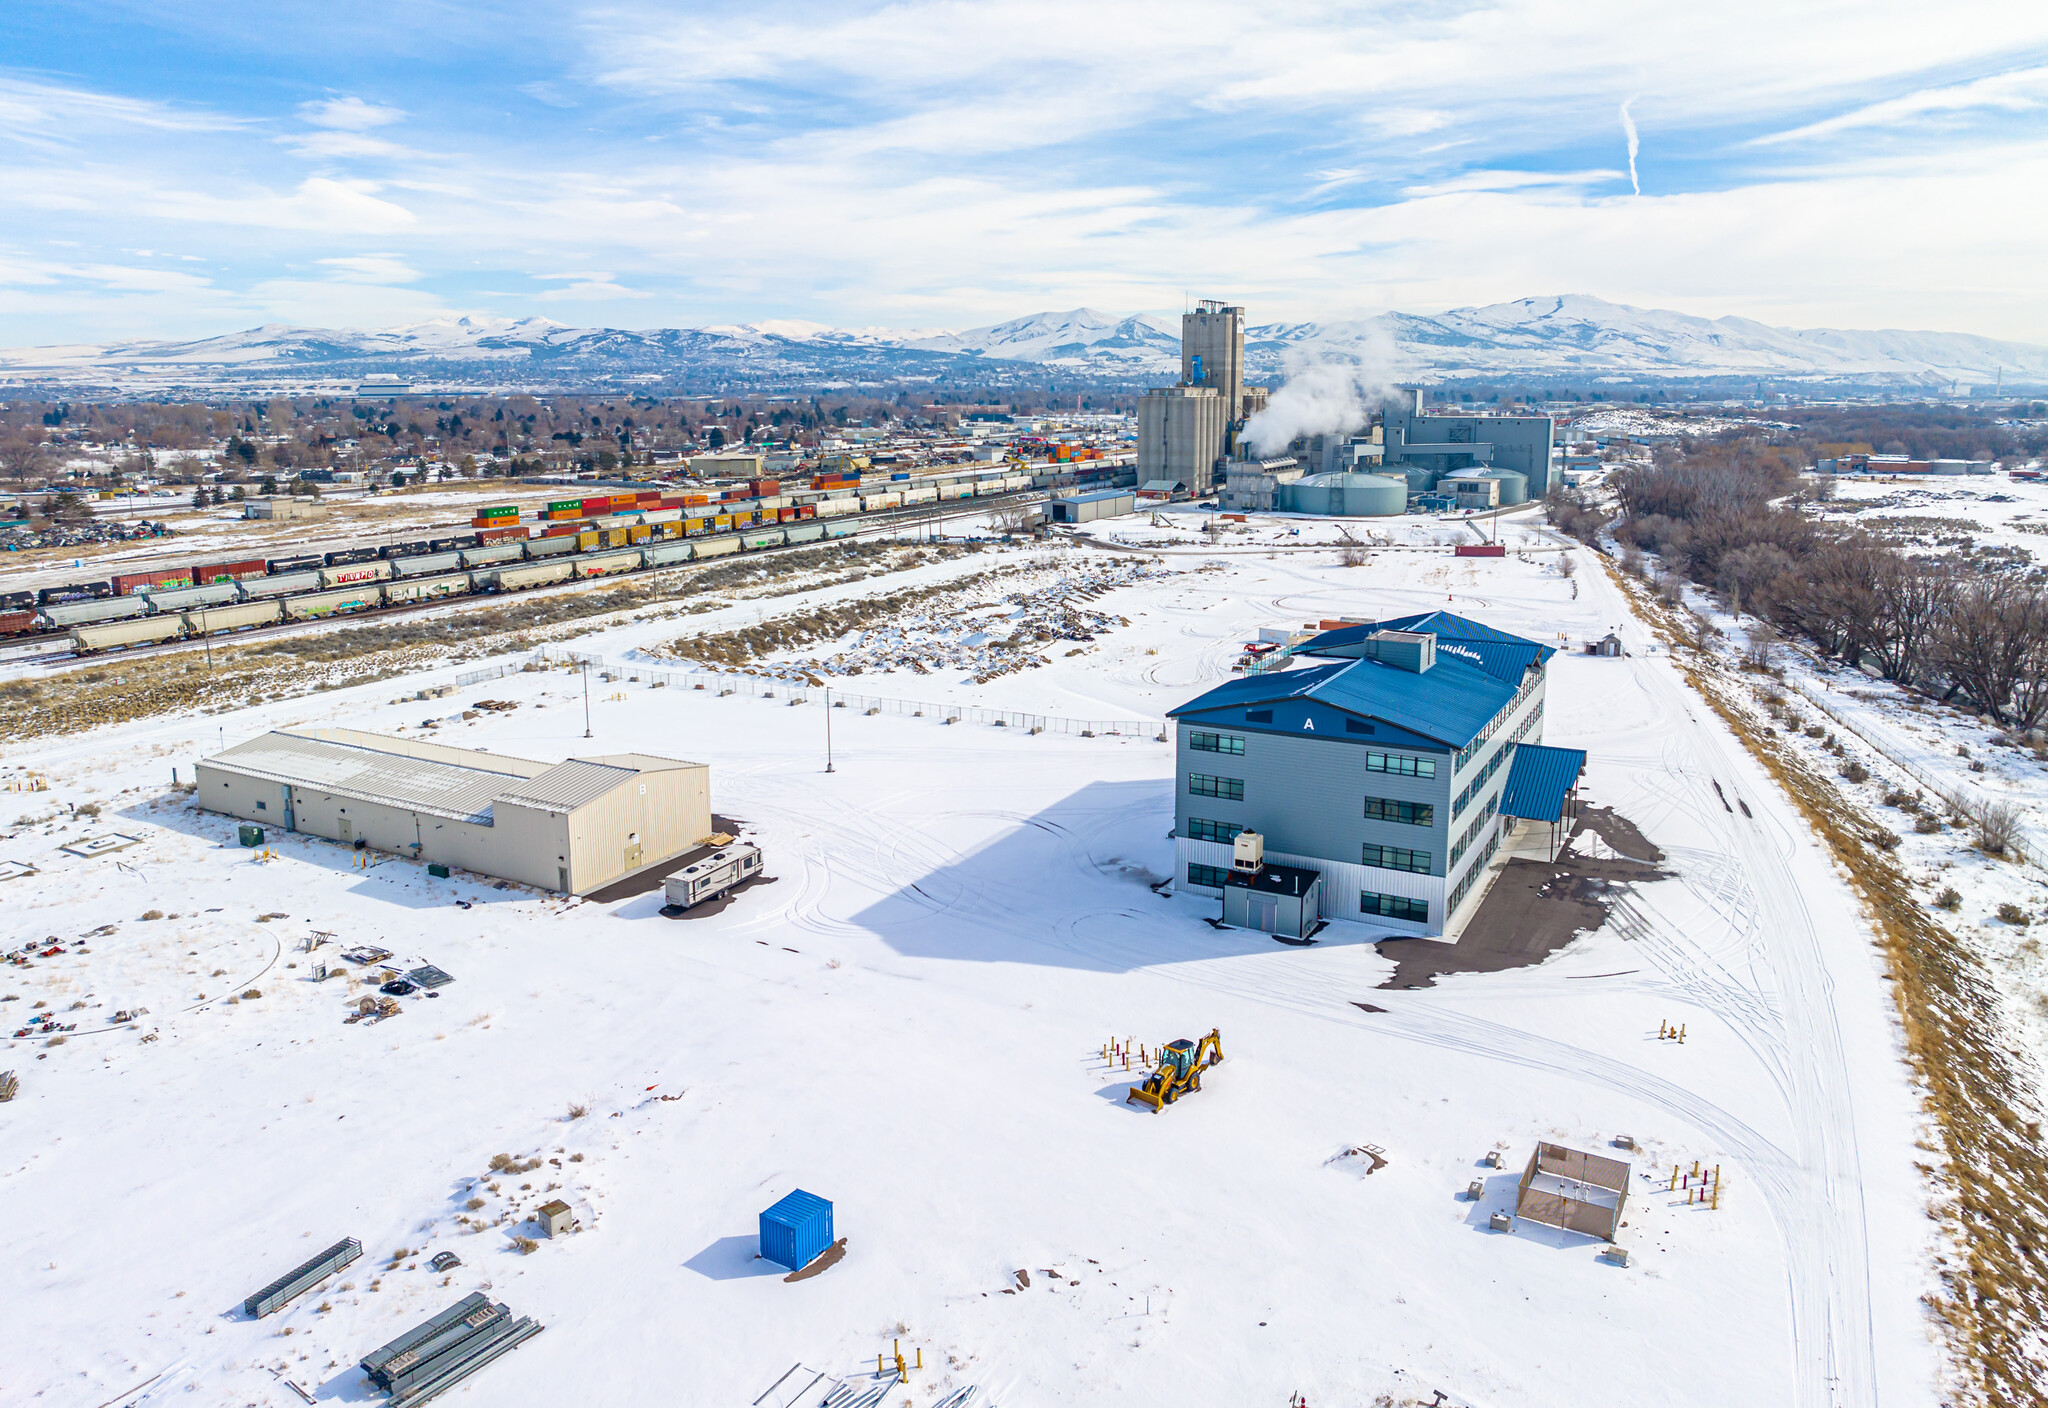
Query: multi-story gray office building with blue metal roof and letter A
{"x": 1379, "y": 760}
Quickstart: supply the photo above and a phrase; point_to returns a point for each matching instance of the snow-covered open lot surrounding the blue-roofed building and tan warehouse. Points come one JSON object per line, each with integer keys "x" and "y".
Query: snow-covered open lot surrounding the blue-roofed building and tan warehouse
{"x": 908, "y": 1022}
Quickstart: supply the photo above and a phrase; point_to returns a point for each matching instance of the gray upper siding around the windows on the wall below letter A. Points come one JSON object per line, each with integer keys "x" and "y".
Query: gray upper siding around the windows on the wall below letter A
{"x": 1308, "y": 797}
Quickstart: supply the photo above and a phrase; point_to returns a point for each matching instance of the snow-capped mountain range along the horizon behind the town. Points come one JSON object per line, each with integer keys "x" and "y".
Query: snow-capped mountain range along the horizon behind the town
{"x": 1553, "y": 339}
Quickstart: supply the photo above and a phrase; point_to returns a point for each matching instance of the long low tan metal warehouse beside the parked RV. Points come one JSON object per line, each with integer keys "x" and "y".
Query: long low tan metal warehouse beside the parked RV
{"x": 572, "y": 826}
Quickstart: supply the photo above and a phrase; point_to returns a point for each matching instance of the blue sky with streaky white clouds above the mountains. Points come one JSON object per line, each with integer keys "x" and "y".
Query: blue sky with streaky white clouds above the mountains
{"x": 191, "y": 169}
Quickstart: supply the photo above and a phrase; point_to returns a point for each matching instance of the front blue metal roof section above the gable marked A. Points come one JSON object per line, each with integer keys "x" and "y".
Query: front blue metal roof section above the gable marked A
{"x": 1449, "y": 703}
